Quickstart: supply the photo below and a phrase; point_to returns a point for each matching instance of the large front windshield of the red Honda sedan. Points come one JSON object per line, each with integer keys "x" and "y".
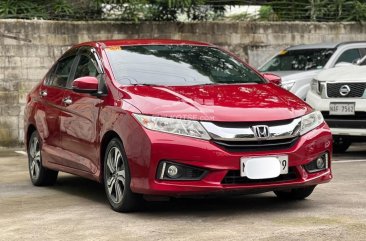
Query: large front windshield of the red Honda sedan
{"x": 177, "y": 65}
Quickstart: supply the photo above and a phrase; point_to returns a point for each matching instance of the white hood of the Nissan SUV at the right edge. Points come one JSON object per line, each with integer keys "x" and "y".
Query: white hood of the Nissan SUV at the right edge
{"x": 352, "y": 73}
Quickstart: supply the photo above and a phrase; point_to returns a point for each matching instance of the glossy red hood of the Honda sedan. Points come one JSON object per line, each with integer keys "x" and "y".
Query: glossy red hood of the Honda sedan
{"x": 229, "y": 103}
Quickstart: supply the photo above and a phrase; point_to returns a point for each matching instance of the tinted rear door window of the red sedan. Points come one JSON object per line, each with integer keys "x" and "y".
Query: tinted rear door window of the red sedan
{"x": 61, "y": 74}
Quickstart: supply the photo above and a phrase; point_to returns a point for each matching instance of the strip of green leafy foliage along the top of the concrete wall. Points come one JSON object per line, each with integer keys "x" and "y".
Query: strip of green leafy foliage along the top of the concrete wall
{"x": 194, "y": 10}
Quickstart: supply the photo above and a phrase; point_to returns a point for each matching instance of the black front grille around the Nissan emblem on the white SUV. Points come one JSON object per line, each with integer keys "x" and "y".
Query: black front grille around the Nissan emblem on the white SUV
{"x": 356, "y": 90}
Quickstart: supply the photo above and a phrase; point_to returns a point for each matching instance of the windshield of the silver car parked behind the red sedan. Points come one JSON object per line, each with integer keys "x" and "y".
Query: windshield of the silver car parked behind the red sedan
{"x": 298, "y": 60}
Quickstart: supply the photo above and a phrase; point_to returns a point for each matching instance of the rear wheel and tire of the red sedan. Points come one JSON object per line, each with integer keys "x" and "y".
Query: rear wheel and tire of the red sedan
{"x": 39, "y": 175}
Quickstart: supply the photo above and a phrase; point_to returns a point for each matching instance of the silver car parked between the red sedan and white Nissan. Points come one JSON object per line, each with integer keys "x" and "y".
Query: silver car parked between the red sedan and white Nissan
{"x": 298, "y": 65}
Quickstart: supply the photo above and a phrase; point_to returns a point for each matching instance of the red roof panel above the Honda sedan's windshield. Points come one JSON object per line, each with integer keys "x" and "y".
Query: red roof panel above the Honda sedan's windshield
{"x": 129, "y": 42}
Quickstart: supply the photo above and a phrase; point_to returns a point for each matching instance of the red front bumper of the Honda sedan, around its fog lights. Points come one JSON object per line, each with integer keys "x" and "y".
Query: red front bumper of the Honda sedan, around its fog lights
{"x": 218, "y": 162}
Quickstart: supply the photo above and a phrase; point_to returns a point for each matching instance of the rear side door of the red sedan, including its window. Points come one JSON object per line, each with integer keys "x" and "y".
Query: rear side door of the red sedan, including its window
{"x": 48, "y": 111}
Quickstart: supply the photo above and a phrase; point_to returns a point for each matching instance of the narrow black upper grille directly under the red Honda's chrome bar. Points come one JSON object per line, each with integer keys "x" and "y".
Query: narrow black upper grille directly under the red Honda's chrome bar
{"x": 263, "y": 145}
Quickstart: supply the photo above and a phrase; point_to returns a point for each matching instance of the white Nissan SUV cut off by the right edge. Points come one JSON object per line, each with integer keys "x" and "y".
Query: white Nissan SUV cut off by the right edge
{"x": 340, "y": 94}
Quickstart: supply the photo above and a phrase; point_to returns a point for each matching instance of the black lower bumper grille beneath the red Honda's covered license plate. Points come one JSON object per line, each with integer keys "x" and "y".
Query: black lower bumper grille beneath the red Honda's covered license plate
{"x": 233, "y": 177}
